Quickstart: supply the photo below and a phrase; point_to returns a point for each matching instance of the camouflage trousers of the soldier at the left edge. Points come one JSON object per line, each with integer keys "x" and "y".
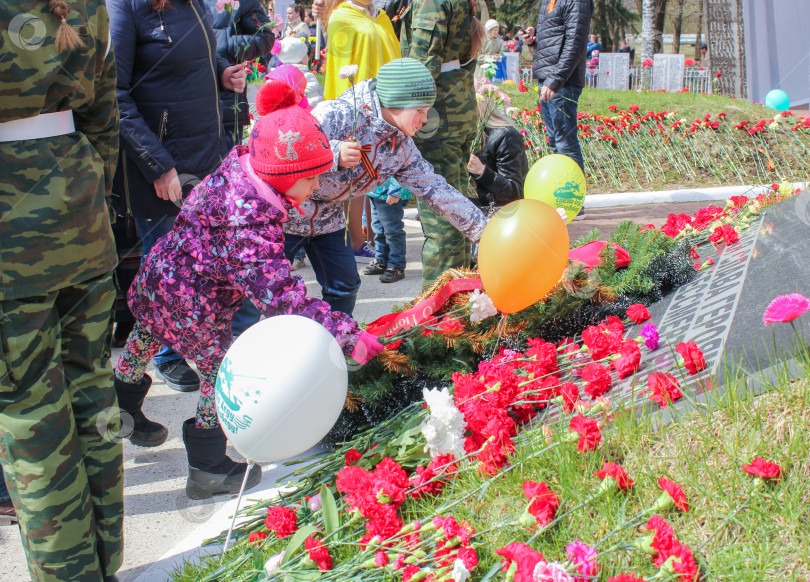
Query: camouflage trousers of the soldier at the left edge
{"x": 57, "y": 410}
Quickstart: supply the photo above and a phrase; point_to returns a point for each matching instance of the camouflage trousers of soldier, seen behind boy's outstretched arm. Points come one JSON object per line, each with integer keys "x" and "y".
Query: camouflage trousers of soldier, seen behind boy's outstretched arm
{"x": 444, "y": 247}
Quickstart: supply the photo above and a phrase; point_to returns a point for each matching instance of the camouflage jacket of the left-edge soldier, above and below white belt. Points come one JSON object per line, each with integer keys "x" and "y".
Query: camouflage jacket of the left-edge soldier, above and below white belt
{"x": 54, "y": 225}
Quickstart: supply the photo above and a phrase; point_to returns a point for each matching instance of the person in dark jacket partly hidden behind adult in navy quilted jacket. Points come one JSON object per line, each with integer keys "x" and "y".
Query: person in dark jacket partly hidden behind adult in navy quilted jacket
{"x": 242, "y": 35}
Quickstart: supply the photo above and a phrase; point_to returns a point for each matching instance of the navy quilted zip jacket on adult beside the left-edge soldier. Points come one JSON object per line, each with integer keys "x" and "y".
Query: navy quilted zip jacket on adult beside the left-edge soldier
{"x": 169, "y": 82}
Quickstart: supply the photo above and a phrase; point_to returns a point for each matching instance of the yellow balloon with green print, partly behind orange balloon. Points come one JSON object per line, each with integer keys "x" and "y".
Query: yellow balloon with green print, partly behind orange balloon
{"x": 558, "y": 181}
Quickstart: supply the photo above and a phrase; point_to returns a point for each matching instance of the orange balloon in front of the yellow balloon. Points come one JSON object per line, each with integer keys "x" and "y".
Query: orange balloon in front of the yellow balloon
{"x": 522, "y": 254}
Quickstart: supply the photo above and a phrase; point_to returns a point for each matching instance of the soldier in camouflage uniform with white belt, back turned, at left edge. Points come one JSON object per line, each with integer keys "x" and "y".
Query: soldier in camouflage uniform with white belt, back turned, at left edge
{"x": 57, "y": 403}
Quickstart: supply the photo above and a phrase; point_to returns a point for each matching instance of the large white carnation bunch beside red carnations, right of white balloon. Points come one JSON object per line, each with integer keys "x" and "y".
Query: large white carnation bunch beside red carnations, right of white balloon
{"x": 444, "y": 428}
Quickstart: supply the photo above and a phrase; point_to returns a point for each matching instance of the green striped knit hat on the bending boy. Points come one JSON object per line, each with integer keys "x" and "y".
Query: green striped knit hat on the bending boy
{"x": 405, "y": 84}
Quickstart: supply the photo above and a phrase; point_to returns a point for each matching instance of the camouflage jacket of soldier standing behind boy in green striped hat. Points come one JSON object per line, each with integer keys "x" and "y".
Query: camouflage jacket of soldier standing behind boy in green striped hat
{"x": 436, "y": 32}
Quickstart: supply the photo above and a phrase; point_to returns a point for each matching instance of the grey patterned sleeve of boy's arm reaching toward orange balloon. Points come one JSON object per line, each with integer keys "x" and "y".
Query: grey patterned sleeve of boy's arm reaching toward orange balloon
{"x": 417, "y": 175}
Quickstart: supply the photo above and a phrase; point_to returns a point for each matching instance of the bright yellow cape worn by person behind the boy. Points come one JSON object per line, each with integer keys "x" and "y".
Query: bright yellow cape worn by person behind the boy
{"x": 357, "y": 39}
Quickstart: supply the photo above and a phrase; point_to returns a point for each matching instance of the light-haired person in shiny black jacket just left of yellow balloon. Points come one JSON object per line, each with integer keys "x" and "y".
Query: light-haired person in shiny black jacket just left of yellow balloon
{"x": 500, "y": 167}
